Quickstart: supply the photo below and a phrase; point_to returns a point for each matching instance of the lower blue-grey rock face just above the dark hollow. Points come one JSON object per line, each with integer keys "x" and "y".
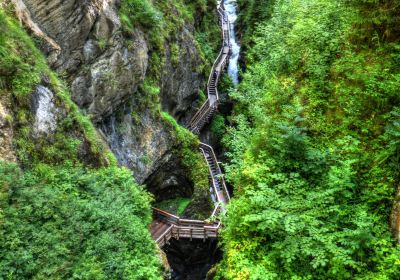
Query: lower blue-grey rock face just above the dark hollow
{"x": 142, "y": 144}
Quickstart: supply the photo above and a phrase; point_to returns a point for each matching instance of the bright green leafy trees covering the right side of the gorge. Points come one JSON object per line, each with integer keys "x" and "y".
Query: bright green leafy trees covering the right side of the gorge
{"x": 314, "y": 147}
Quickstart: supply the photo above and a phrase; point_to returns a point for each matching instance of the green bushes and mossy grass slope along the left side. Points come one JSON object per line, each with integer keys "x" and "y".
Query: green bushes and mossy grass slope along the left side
{"x": 60, "y": 219}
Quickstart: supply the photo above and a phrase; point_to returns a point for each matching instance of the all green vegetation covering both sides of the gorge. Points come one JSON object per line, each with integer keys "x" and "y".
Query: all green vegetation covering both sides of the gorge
{"x": 313, "y": 148}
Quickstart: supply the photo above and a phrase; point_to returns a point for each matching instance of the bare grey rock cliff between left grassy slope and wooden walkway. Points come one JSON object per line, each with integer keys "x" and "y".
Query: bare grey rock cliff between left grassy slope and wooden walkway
{"x": 105, "y": 69}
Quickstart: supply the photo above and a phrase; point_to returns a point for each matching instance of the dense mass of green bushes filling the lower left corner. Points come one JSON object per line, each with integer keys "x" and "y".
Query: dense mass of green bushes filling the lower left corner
{"x": 71, "y": 222}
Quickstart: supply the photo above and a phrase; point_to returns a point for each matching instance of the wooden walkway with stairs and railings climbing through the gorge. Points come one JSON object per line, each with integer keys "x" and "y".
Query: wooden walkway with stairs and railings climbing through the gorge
{"x": 165, "y": 225}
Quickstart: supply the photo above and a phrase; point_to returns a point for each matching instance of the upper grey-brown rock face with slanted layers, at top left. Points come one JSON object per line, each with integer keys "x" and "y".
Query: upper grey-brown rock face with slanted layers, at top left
{"x": 102, "y": 71}
